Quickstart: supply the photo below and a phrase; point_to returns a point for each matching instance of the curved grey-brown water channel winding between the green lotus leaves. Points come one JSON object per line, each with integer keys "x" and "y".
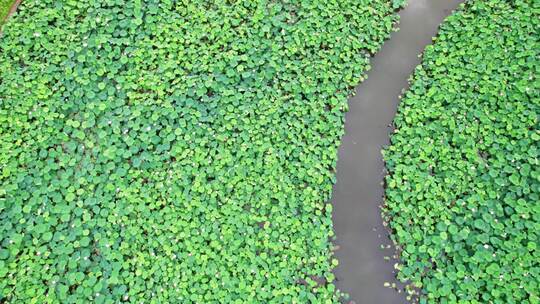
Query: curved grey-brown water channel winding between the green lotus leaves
{"x": 358, "y": 193}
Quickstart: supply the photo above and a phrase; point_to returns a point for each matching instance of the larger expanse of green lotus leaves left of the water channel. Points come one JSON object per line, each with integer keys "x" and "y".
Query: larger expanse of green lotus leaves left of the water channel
{"x": 175, "y": 151}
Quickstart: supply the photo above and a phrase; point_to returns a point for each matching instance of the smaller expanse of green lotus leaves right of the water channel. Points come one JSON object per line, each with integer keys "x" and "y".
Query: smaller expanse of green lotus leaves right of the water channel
{"x": 463, "y": 191}
